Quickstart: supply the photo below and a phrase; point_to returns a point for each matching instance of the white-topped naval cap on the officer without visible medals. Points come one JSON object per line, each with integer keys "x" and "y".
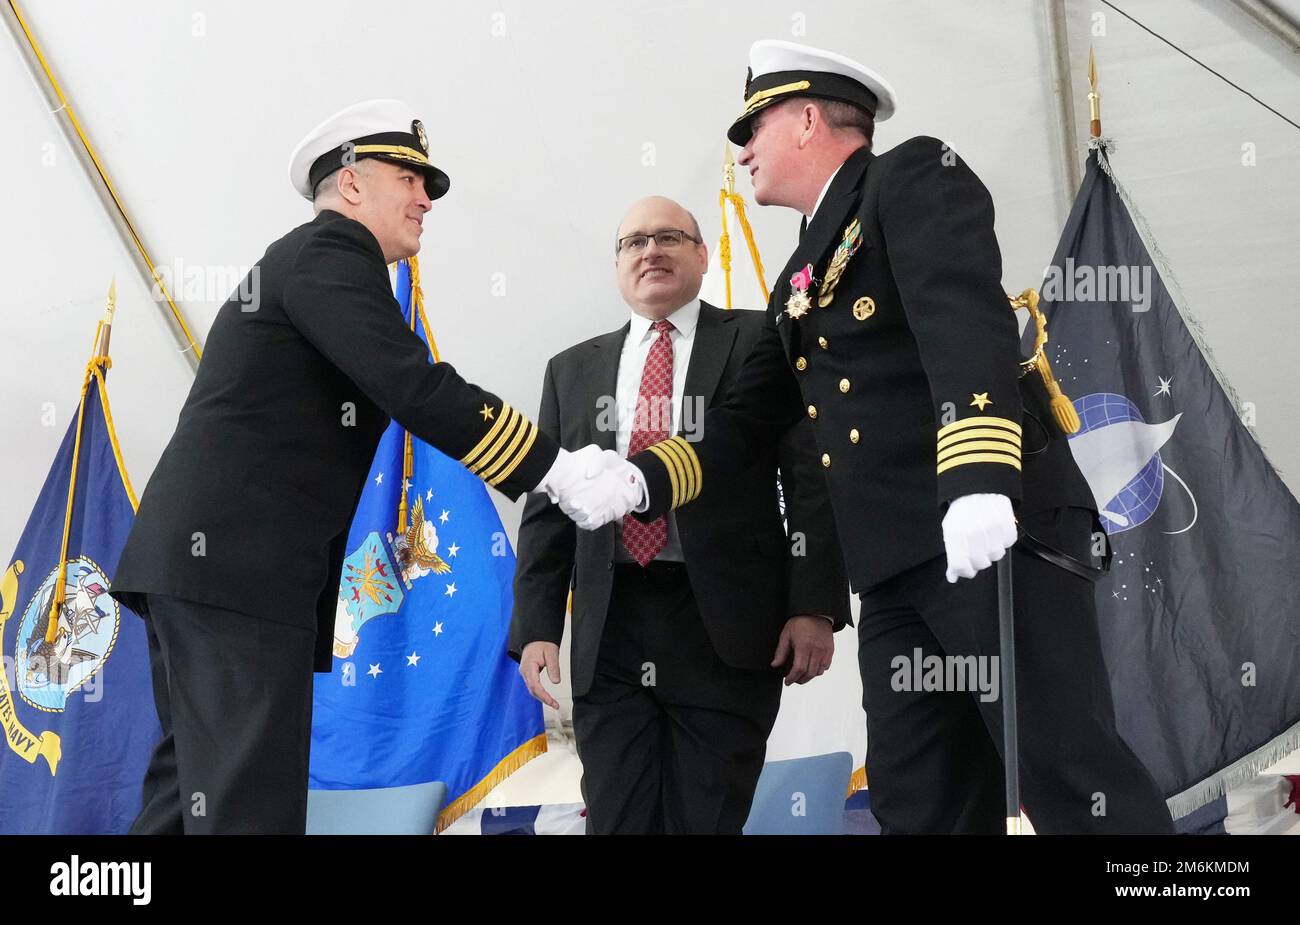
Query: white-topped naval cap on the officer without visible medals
{"x": 383, "y": 129}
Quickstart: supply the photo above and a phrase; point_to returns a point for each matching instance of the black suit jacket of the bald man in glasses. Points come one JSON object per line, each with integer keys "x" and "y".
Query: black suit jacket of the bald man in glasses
{"x": 739, "y": 559}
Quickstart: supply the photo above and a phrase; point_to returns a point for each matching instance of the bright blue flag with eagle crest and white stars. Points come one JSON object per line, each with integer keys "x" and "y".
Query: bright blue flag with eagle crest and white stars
{"x": 423, "y": 689}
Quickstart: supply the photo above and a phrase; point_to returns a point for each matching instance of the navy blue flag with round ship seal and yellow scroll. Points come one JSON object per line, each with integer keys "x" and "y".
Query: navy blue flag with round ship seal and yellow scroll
{"x": 76, "y": 700}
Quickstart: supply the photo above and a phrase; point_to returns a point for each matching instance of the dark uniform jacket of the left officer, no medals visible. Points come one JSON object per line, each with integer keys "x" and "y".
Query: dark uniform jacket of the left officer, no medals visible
{"x": 250, "y": 505}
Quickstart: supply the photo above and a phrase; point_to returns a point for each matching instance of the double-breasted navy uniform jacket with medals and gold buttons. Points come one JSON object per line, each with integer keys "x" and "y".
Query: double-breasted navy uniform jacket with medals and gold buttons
{"x": 908, "y": 376}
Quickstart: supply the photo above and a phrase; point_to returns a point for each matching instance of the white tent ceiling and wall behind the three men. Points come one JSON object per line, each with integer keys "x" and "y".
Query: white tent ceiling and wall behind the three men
{"x": 551, "y": 118}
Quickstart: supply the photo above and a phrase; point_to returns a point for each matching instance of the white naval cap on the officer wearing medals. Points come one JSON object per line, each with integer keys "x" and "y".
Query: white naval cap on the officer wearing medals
{"x": 779, "y": 71}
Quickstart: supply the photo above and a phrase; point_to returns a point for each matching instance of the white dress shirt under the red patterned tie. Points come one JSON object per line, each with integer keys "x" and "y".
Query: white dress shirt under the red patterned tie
{"x": 632, "y": 362}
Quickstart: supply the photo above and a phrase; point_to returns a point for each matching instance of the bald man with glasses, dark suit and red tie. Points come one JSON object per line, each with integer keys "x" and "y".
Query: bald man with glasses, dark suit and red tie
{"x": 684, "y": 627}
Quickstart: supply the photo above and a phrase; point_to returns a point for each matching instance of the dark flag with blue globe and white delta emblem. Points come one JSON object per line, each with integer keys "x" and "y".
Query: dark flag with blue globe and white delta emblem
{"x": 1201, "y": 614}
